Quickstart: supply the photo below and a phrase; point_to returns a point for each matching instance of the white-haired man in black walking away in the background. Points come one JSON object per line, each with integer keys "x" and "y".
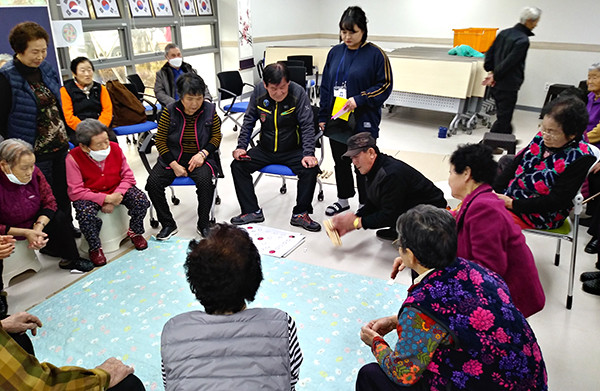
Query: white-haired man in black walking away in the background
{"x": 505, "y": 62}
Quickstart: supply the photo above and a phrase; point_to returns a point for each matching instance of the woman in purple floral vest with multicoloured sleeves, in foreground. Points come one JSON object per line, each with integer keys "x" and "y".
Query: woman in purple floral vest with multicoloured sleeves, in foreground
{"x": 457, "y": 329}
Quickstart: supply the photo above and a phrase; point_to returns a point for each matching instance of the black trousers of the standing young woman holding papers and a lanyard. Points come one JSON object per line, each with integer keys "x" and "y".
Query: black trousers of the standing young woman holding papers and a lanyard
{"x": 343, "y": 174}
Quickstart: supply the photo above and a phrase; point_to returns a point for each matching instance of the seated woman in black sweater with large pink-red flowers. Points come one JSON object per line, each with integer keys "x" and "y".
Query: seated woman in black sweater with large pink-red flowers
{"x": 539, "y": 184}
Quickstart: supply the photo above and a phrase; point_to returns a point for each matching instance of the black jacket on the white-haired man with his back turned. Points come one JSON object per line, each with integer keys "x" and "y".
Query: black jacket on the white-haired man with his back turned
{"x": 506, "y": 57}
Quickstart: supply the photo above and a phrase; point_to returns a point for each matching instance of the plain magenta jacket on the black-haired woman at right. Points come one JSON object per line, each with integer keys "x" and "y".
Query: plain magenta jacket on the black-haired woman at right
{"x": 488, "y": 235}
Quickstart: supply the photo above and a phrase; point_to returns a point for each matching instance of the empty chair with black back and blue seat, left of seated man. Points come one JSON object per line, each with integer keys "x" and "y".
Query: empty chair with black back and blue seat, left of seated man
{"x": 232, "y": 87}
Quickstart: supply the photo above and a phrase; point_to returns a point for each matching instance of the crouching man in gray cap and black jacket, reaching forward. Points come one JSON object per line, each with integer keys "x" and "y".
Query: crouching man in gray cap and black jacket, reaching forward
{"x": 392, "y": 186}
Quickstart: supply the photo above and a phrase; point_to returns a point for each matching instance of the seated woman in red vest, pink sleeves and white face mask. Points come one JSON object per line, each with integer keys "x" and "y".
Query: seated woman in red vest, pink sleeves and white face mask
{"x": 99, "y": 179}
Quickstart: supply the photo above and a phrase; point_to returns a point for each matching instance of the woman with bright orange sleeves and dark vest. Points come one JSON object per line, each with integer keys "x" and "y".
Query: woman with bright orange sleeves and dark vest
{"x": 83, "y": 98}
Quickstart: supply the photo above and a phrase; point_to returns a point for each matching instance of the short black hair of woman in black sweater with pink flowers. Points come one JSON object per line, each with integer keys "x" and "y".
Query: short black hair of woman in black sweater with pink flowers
{"x": 570, "y": 113}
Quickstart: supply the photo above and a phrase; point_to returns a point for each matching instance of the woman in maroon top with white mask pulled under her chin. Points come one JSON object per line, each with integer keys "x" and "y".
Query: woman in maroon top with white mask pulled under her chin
{"x": 28, "y": 209}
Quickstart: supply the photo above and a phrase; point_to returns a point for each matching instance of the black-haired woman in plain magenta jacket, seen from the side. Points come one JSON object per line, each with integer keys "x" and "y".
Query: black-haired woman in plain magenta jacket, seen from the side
{"x": 486, "y": 232}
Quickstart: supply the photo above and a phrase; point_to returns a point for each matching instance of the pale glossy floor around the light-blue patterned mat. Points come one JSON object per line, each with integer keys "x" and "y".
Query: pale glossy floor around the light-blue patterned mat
{"x": 569, "y": 339}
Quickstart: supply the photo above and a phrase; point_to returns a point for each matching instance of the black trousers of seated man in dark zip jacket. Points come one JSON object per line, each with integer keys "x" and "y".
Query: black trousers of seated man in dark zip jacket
{"x": 241, "y": 171}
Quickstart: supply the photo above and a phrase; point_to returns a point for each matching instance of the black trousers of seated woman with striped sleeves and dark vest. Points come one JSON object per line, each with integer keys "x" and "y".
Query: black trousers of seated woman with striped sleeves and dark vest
{"x": 161, "y": 177}
